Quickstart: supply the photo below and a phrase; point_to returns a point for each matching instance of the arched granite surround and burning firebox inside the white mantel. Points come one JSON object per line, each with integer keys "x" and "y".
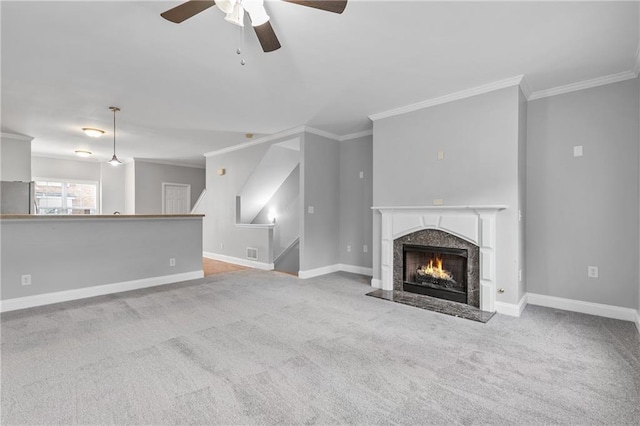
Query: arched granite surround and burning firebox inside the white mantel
{"x": 439, "y": 264}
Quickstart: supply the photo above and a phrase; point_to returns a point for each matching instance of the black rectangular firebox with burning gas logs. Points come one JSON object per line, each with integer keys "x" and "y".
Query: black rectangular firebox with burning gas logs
{"x": 435, "y": 271}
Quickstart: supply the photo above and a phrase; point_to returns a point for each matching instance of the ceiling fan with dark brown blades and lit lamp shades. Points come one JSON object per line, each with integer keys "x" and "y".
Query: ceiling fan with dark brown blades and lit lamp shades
{"x": 235, "y": 9}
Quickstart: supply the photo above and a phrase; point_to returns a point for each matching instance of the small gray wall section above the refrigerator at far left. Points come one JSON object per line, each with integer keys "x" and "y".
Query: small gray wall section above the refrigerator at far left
{"x": 15, "y": 158}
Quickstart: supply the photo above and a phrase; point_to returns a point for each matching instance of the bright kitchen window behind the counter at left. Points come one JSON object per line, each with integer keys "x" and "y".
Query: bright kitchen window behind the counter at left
{"x": 66, "y": 197}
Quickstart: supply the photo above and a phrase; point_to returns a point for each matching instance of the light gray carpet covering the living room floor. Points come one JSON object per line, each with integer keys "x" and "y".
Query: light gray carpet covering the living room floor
{"x": 253, "y": 347}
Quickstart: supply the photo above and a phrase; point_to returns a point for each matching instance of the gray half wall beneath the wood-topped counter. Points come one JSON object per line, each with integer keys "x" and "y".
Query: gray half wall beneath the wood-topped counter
{"x": 96, "y": 252}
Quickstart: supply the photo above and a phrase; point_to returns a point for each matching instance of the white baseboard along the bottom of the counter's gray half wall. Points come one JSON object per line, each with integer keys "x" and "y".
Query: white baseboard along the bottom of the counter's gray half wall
{"x": 99, "y": 290}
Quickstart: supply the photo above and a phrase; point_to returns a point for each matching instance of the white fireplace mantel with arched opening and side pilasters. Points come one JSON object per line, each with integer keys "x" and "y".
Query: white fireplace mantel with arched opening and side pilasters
{"x": 475, "y": 224}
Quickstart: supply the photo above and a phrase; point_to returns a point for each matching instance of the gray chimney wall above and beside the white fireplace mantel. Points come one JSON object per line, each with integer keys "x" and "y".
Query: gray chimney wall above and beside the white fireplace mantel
{"x": 480, "y": 140}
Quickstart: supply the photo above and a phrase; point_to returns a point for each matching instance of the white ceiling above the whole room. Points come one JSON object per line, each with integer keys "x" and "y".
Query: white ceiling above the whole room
{"x": 183, "y": 92}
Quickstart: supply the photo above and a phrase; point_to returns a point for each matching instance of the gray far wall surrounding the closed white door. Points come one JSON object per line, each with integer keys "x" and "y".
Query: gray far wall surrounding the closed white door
{"x": 149, "y": 178}
